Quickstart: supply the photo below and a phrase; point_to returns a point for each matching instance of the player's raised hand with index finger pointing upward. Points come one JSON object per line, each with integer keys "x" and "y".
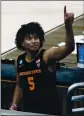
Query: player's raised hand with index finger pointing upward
{"x": 68, "y": 17}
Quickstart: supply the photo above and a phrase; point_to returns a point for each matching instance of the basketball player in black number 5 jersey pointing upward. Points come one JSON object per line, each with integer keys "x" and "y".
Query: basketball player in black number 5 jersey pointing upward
{"x": 36, "y": 68}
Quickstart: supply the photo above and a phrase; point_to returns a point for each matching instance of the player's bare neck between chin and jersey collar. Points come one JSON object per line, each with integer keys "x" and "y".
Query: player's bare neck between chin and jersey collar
{"x": 31, "y": 55}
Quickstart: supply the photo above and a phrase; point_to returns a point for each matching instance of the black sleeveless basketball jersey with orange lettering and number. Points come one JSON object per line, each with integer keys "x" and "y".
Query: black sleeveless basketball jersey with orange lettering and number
{"x": 37, "y": 83}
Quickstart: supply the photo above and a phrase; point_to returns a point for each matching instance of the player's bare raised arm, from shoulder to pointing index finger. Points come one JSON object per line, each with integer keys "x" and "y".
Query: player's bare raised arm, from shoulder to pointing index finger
{"x": 63, "y": 51}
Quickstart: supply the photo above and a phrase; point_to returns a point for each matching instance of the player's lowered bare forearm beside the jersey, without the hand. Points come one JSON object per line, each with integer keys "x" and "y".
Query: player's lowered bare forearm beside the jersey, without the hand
{"x": 17, "y": 95}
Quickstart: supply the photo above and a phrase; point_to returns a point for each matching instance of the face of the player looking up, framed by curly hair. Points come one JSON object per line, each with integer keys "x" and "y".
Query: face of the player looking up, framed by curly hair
{"x": 31, "y": 42}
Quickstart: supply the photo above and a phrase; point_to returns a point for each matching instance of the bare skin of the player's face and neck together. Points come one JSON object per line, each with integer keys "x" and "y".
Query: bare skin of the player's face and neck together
{"x": 32, "y": 45}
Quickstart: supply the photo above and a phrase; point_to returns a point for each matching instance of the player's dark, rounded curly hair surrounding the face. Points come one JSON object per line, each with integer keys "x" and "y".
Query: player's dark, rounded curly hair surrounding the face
{"x": 27, "y": 29}
